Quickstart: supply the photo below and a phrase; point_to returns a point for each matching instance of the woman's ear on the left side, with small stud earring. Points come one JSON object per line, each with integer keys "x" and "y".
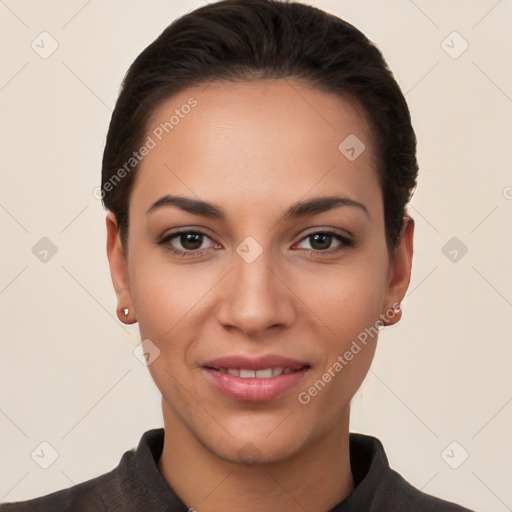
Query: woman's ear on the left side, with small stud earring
{"x": 119, "y": 271}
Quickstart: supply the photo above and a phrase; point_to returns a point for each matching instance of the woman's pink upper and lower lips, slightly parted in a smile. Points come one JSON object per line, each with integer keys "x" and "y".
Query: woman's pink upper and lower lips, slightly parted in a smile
{"x": 255, "y": 389}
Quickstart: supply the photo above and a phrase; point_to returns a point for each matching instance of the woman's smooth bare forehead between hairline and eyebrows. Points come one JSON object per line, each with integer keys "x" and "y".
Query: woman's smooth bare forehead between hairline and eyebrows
{"x": 260, "y": 140}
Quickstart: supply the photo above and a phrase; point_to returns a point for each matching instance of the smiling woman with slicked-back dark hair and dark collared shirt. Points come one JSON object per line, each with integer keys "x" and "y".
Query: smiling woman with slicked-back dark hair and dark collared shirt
{"x": 256, "y": 174}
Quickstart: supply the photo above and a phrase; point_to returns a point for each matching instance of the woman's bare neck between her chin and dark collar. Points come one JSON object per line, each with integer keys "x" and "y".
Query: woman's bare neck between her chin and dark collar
{"x": 315, "y": 479}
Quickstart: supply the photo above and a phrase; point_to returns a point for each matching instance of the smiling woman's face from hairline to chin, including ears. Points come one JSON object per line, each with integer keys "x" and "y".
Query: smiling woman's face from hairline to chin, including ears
{"x": 251, "y": 286}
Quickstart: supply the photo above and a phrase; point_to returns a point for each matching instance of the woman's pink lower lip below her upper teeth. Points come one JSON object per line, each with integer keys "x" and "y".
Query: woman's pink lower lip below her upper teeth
{"x": 254, "y": 389}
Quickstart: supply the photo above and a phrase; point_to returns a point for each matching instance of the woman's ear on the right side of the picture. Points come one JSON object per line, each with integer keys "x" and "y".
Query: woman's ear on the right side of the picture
{"x": 399, "y": 273}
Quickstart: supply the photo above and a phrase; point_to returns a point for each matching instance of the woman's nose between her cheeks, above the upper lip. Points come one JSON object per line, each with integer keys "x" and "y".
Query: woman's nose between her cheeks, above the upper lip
{"x": 256, "y": 296}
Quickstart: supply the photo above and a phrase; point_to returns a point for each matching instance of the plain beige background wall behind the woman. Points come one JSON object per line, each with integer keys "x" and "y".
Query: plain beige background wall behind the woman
{"x": 69, "y": 376}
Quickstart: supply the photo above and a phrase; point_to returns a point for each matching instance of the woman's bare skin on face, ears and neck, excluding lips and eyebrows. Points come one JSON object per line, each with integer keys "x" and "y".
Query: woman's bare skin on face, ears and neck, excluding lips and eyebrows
{"x": 254, "y": 149}
